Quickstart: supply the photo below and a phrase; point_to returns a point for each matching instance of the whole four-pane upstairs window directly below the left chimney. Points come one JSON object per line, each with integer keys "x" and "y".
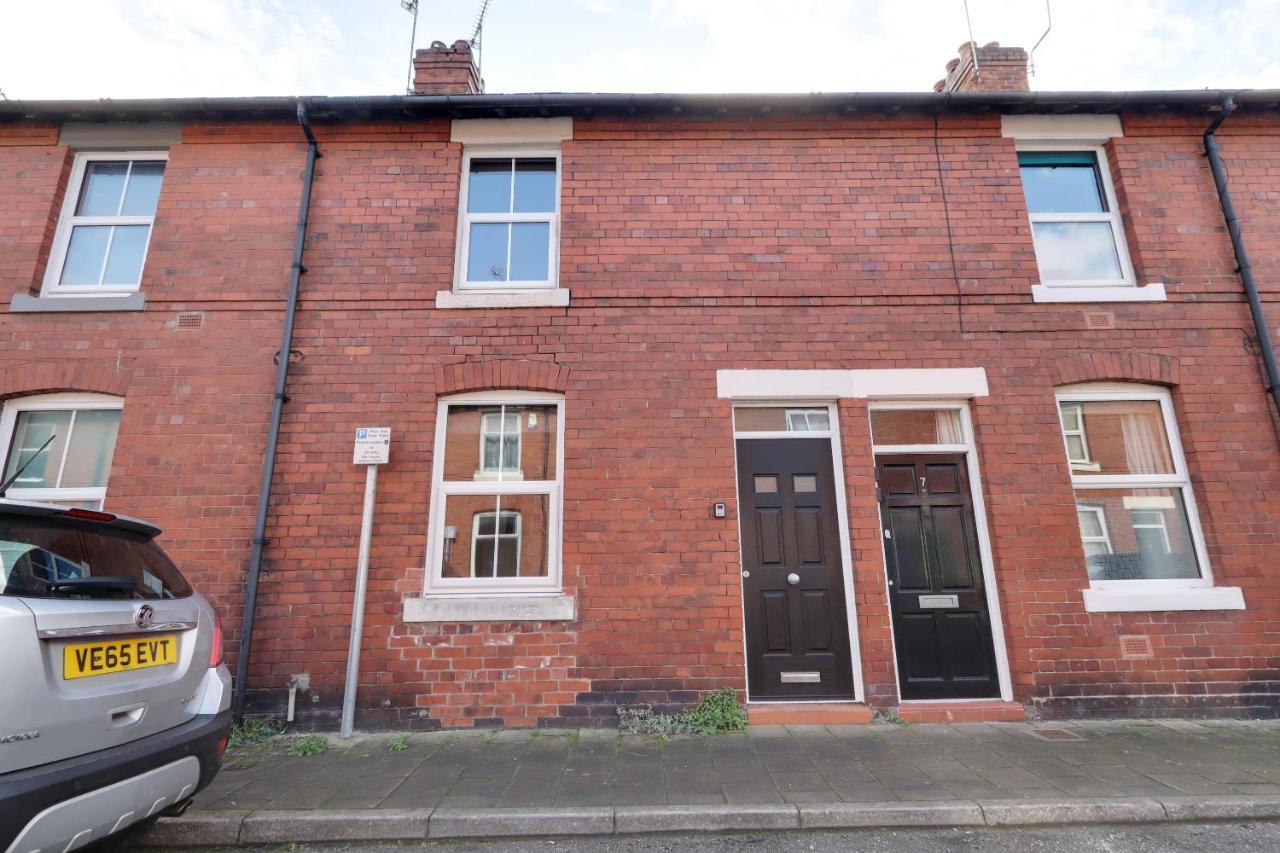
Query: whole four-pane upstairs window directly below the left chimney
{"x": 510, "y": 231}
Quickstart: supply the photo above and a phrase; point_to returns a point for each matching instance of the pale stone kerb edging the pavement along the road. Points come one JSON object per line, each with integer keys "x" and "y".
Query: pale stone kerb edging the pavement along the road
{"x": 226, "y": 828}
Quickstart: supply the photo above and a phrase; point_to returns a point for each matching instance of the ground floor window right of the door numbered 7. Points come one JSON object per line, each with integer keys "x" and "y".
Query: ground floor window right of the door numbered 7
{"x": 1133, "y": 496}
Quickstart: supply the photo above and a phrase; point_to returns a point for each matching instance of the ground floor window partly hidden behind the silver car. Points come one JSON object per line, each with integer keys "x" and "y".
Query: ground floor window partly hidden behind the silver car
{"x": 77, "y": 434}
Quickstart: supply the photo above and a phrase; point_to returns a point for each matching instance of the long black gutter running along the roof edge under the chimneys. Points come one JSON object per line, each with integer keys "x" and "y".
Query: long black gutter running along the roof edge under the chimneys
{"x": 546, "y": 104}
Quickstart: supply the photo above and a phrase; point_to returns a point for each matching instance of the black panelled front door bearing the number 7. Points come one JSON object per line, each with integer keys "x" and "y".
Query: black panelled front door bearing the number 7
{"x": 941, "y": 626}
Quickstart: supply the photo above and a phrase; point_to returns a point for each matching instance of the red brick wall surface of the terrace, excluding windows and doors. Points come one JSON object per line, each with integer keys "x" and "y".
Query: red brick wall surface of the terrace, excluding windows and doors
{"x": 689, "y": 247}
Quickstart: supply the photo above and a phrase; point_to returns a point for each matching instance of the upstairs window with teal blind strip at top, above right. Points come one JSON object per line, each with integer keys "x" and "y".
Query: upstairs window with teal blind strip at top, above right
{"x": 1076, "y": 223}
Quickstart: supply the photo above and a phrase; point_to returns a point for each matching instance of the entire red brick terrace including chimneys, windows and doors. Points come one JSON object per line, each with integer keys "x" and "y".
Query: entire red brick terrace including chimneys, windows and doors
{"x": 949, "y": 404}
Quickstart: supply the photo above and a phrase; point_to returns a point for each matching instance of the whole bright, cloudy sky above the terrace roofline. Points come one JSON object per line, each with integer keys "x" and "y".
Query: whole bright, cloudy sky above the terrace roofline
{"x": 89, "y": 49}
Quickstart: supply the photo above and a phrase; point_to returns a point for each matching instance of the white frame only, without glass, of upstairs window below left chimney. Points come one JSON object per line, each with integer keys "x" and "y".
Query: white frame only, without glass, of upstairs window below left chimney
{"x": 465, "y": 220}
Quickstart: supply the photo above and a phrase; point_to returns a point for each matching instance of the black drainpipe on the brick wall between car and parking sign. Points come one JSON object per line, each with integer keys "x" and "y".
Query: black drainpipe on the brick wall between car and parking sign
{"x": 273, "y": 435}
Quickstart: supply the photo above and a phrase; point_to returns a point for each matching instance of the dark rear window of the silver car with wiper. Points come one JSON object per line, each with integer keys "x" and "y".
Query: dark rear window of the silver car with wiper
{"x": 38, "y": 554}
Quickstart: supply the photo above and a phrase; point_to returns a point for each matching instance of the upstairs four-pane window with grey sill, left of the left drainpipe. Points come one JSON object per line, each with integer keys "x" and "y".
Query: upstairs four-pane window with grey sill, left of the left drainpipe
{"x": 103, "y": 235}
